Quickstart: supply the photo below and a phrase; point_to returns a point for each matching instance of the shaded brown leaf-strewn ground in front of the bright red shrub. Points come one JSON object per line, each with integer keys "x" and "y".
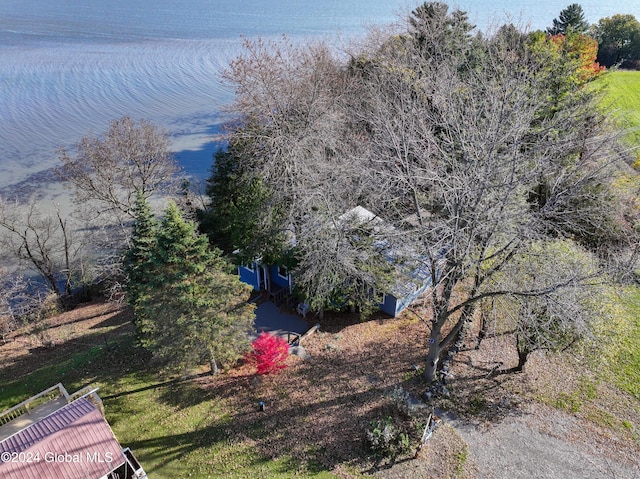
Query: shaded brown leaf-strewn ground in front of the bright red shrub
{"x": 319, "y": 410}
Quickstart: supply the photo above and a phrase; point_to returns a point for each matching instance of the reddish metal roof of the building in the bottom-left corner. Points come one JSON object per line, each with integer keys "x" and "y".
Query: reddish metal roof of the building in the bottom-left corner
{"x": 74, "y": 442}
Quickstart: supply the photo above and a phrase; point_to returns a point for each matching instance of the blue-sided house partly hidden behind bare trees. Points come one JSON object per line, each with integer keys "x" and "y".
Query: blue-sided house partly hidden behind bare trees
{"x": 411, "y": 279}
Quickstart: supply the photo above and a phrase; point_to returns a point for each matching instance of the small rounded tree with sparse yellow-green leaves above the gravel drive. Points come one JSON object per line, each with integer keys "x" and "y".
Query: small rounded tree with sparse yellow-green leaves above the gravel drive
{"x": 566, "y": 312}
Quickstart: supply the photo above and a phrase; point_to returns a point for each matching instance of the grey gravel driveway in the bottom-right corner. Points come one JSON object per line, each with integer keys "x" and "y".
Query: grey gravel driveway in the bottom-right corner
{"x": 544, "y": 443}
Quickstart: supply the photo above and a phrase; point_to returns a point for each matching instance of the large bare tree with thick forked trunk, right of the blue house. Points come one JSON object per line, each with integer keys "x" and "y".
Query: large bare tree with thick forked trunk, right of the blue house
{"x": 484, "y": 169}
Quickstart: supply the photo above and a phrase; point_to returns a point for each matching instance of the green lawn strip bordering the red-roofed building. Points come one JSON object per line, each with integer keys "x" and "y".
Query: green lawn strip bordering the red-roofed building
{"x": 176, "y": 428}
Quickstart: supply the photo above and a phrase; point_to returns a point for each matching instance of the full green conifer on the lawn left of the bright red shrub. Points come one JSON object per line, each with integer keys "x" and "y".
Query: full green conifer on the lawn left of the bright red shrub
{"x": 193, "y": 309}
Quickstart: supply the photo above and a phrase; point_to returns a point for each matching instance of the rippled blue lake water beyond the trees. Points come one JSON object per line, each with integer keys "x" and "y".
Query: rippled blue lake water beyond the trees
{"x": 67, "y": 67}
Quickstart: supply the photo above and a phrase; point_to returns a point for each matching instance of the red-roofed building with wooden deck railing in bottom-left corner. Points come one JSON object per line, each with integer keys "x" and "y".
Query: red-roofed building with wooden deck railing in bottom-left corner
{"x": 57, "y": 435}
